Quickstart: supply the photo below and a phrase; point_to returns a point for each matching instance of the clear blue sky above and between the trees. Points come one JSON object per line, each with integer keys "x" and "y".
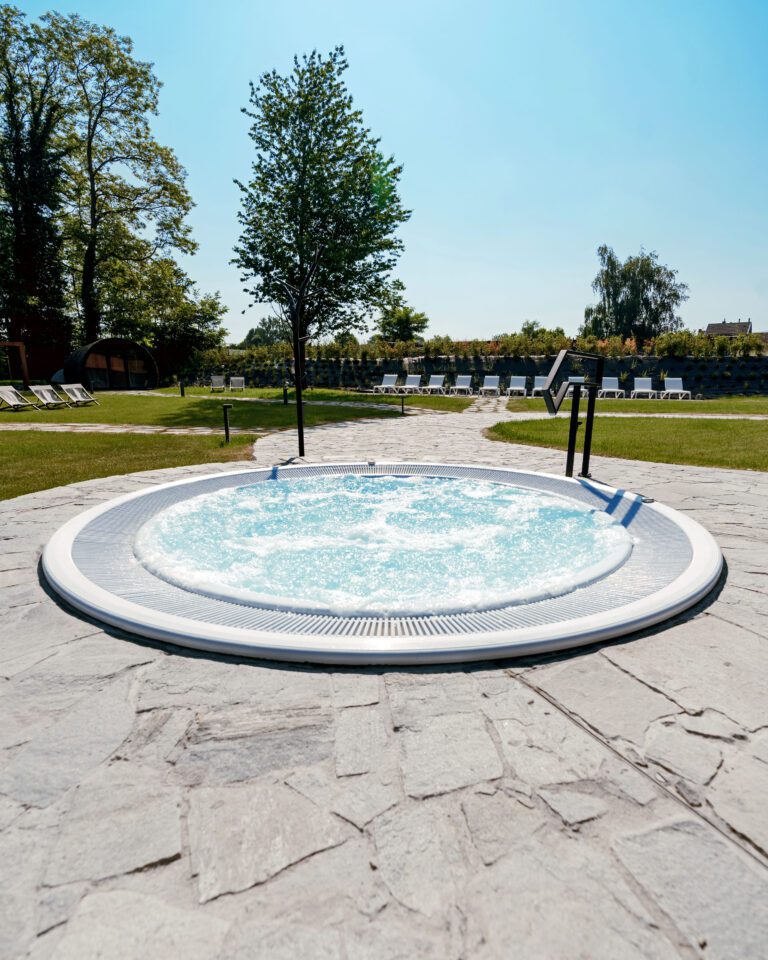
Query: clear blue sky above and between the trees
{"x": 530, "y": 133}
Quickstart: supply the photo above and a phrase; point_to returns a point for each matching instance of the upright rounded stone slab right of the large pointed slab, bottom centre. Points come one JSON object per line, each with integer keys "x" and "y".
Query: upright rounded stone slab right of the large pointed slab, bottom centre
{"x": 419, "y": 855}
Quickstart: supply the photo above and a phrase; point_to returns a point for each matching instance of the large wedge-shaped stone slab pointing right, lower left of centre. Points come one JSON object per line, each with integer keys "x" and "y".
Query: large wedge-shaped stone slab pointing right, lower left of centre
{"x": 244, "y": 834}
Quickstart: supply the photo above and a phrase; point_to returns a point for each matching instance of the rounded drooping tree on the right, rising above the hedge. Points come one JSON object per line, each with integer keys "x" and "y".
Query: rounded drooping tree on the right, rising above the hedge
{"x": 638, "y": 298}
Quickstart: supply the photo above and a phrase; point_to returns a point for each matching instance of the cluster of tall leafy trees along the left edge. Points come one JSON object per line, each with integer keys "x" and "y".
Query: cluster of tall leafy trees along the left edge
{"x": 92, "y": 206}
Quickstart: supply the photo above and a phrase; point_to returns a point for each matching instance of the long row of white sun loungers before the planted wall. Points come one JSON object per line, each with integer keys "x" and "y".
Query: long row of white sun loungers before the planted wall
{"x": 518, "y": 386}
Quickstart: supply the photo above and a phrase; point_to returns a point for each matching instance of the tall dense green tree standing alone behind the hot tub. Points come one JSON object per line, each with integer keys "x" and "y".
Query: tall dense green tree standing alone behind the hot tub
{"x": 320, "y": 212}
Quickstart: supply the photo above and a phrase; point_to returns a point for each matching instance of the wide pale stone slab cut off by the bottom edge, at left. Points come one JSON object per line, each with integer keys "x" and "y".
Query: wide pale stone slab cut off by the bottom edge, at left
{"x": 123, "y": 925}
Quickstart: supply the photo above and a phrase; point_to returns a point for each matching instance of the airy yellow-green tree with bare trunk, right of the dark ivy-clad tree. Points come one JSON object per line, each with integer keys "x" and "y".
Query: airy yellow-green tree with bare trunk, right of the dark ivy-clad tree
{"x": 123, "y": 185}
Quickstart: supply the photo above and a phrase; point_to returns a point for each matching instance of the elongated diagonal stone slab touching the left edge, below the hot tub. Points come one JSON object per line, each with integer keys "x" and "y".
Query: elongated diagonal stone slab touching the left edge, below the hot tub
{"x": 60, "y": 756}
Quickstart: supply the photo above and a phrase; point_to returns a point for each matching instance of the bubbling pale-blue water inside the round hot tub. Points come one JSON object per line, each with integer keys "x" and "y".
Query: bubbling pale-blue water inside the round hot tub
{"x": 381, "y": 545}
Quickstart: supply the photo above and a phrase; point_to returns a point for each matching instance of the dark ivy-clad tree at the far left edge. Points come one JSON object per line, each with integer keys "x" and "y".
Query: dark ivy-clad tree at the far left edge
{"x": 32, "y": 108}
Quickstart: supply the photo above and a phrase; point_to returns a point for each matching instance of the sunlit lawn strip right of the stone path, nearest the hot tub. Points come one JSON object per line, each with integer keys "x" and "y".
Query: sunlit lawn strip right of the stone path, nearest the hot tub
{"x": 709, "y": 443}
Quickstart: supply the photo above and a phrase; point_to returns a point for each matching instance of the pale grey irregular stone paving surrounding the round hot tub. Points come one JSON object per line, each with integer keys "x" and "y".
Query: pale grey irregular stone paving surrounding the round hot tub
{"x": 606, "y": 803}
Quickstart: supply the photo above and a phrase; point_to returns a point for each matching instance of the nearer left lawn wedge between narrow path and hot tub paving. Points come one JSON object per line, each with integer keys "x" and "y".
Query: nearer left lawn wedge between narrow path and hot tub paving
{"x": 32, "y": 461}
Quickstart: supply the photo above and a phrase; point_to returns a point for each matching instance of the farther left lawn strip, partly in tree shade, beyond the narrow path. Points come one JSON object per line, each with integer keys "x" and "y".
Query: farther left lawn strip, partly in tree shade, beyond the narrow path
{"x": 190, "y": 412}
